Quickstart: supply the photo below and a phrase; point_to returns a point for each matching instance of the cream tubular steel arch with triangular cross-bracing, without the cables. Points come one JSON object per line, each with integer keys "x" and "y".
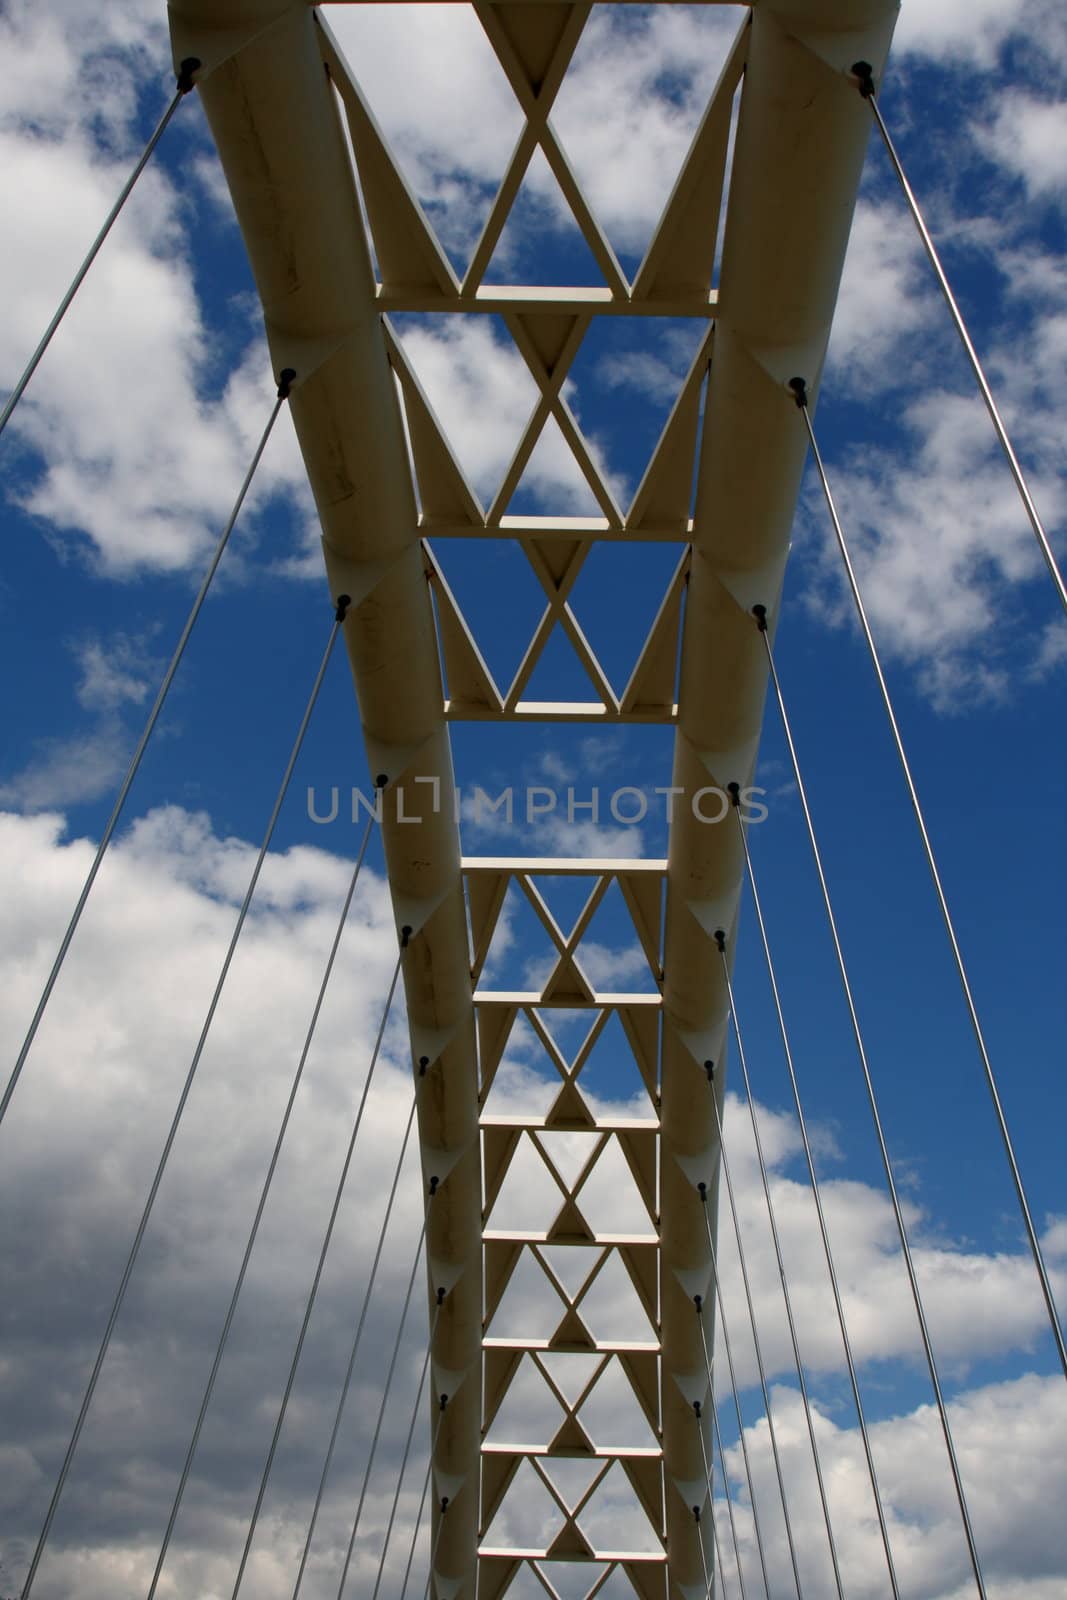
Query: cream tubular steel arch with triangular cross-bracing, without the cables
{"x": 278, "y": 94}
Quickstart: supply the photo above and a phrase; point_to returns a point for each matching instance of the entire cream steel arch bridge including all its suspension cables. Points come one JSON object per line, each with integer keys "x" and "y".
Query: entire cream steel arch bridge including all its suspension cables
{"x": 596, "y": 1215}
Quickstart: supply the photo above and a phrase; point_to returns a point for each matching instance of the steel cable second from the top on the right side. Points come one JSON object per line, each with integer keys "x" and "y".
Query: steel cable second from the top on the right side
{"x": 801, "y": 394}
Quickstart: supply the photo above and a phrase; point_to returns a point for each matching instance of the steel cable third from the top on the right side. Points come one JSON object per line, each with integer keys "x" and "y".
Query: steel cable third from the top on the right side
{"x": 876, "y": 1114}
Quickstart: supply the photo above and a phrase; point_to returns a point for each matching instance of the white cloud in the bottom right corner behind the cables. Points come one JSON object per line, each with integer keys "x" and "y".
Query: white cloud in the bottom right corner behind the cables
{"x": 1012, "y": 1466}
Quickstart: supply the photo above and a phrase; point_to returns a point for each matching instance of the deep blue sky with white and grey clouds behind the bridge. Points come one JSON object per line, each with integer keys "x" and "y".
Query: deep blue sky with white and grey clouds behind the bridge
{"x": 118, "y": 473}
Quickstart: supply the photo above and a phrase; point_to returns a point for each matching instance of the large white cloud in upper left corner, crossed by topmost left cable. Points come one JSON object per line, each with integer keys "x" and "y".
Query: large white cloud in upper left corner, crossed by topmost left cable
{"x": 127, "y": 447}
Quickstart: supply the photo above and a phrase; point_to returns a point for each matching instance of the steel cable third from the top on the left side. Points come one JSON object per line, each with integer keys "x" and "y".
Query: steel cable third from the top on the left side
{"x": 172, "y": 1135}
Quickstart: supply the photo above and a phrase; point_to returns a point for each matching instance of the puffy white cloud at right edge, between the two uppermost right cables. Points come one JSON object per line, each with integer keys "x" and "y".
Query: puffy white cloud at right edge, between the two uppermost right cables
{"x": 940, "y": 537}
